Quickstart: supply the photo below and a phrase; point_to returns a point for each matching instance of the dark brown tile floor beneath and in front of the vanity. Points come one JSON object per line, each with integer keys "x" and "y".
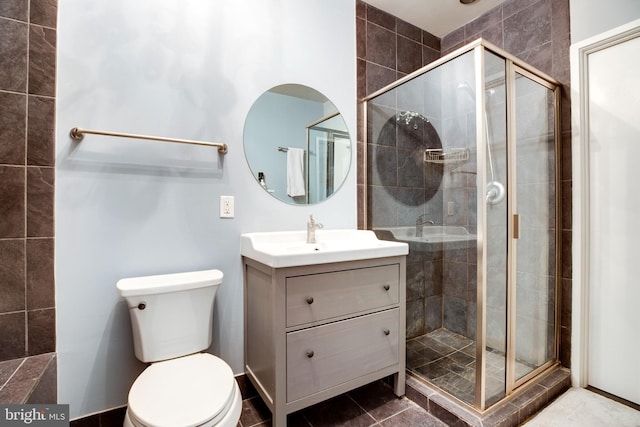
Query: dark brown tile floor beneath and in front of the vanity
{"x": 370, "y": 405}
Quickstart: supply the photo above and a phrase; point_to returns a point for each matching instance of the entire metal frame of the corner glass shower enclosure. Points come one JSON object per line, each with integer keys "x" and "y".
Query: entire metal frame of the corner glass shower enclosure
{"x": 513, "y": 66}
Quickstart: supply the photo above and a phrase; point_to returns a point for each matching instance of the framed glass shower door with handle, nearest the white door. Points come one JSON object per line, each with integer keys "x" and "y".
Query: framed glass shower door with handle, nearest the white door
{"x": 533, "y": 272}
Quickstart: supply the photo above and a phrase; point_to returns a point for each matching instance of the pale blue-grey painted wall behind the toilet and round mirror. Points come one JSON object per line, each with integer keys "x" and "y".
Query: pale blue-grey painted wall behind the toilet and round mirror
{"x": 127, "y": 208}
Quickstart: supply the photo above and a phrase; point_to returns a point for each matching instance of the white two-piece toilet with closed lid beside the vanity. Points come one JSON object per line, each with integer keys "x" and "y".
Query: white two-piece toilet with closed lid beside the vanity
{"x": 172, "y": 322}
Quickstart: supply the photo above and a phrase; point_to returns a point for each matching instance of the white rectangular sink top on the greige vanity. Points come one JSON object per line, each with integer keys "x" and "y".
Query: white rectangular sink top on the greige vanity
{"x": 289, "y": 248}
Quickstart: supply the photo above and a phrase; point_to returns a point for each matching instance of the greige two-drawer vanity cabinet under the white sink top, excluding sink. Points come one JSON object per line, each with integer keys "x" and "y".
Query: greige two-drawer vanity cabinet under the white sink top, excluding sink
{"x": 313, "y": 332}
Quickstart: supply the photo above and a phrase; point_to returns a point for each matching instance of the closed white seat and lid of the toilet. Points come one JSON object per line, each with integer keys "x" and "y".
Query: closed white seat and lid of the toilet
{"x": 196, "y": 390}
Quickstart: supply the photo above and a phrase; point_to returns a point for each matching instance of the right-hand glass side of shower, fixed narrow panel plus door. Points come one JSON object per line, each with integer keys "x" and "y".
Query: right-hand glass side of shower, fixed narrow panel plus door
{"x": 520, "y": 337}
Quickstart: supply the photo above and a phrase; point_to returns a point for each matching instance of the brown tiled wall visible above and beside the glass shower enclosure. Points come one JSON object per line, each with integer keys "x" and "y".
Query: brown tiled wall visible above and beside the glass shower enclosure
{"x": 536, "y": 32}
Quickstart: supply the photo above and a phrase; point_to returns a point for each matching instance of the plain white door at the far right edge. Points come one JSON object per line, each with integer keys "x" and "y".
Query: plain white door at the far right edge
{"x": 613, "y": 117}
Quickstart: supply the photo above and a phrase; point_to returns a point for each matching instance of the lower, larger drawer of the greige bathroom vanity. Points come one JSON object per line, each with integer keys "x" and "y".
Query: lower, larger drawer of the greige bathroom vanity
{"x": 324, "y": 356}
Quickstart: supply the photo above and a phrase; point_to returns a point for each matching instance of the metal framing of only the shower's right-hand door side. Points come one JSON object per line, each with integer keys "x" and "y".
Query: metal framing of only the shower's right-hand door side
{"x": 513, "y": 66}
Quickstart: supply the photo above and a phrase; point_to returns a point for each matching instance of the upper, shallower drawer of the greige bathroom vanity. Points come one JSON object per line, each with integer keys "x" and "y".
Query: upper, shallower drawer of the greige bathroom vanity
{"x": 324, "y": 296}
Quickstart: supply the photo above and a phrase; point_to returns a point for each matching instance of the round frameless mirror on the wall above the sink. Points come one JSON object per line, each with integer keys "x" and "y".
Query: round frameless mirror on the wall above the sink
{"x": 297, "y": 144}
